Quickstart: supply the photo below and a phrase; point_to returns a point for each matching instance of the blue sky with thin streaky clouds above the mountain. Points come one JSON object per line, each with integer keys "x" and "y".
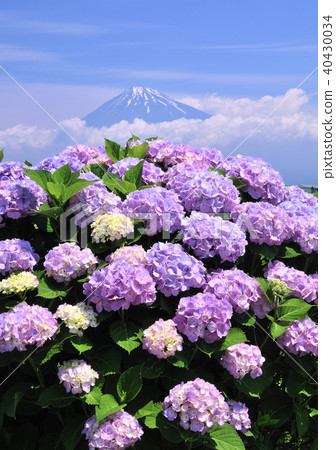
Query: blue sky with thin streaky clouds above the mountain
{"x": 73, "y": 56}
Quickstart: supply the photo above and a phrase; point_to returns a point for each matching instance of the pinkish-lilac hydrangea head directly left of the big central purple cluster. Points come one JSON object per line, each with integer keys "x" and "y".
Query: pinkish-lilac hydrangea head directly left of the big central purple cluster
{"x": 68, "y": 261}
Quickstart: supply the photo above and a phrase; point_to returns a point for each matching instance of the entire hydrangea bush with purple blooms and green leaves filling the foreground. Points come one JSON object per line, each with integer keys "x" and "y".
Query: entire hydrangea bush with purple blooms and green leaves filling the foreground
{"x": 156, "y": 296}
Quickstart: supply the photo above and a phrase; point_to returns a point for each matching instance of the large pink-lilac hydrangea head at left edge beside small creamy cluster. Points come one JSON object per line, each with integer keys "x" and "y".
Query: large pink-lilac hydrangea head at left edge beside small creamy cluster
{"x": 26, "y": 325}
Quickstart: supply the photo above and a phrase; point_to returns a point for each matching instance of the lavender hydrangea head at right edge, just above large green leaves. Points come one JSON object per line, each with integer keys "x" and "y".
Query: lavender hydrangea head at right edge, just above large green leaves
{"x": 297, "y": 281}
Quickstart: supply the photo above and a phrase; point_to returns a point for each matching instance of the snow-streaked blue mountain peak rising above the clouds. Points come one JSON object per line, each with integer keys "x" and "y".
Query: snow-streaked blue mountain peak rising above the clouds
{"x": 142, "y": 103}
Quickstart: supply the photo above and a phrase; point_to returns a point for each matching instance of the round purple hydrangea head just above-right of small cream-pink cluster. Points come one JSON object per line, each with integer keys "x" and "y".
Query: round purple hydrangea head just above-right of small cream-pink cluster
{"x": 203, "y": 316}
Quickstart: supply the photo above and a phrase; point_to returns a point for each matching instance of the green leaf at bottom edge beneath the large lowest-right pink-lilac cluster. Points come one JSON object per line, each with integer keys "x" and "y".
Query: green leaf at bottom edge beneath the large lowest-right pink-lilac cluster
{"x": 224, "y": 438}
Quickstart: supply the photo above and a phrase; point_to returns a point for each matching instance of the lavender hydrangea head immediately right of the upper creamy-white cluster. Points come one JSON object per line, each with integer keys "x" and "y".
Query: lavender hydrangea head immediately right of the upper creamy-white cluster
{"x": 159, "y": 208}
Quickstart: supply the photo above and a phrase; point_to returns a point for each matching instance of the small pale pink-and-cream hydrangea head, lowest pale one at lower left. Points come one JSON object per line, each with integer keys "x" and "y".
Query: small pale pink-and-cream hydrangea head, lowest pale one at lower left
{"x": 77, "y": 376}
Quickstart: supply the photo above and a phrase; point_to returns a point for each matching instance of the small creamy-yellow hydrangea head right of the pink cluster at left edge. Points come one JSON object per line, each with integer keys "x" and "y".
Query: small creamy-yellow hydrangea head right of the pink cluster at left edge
{"x": 77, "y": 318}
